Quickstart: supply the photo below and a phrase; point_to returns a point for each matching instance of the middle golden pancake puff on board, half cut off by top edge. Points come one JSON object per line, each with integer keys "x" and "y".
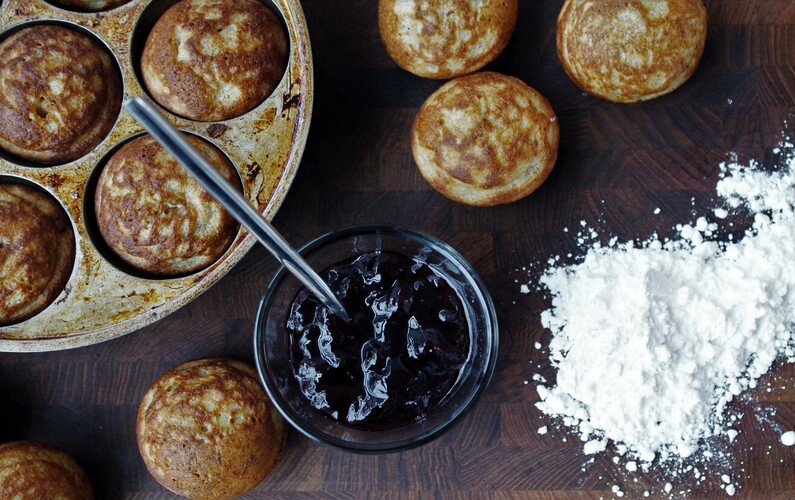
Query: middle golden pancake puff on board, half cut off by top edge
{"x": 443, "y": 38}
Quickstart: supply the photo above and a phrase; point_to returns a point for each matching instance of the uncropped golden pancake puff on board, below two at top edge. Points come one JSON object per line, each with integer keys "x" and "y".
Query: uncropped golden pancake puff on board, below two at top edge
{"x": 485, "y": 139}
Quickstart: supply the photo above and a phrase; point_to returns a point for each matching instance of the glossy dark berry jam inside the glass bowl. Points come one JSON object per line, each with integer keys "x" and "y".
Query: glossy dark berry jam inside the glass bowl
{"x": 397, "y": 358}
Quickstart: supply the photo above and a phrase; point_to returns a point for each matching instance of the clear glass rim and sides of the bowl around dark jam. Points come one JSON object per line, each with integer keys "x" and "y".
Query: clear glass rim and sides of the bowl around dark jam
{"x": 272, "y": 342}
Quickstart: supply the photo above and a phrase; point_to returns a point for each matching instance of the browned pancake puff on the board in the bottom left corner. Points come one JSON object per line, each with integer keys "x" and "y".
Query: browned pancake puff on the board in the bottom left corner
{"x": 32, "y": 470}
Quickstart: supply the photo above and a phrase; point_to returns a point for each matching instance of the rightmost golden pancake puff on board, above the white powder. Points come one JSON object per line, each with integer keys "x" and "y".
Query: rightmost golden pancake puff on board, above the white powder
{"x": 631, "y": 50}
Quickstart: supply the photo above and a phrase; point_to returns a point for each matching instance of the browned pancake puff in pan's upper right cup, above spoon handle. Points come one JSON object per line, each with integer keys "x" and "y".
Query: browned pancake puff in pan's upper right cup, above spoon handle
{"x": 213, "y": 60}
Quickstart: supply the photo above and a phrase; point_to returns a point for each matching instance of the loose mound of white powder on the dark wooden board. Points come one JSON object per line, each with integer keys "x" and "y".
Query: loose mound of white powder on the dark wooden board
{"x": 650, "y": 343}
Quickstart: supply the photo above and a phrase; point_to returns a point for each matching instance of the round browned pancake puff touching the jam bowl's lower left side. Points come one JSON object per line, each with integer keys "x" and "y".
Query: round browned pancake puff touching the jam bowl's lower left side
{"x": 206, "y": 429}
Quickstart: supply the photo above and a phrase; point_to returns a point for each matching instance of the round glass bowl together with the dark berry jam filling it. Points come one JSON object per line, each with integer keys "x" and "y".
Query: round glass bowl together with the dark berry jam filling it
{"x": 418, "y": 351}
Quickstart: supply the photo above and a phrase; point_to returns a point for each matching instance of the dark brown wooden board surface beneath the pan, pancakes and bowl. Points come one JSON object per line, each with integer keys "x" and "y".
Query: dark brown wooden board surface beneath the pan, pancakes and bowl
{"x": 617, "y": 164}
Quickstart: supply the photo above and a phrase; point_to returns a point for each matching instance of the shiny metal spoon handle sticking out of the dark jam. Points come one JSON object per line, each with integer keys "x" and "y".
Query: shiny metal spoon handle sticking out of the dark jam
{"x": 172, "y": 141}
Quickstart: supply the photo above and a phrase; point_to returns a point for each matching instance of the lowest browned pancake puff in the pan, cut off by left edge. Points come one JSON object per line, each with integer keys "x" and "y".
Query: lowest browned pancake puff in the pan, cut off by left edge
{"x": 37, "y": 251}
